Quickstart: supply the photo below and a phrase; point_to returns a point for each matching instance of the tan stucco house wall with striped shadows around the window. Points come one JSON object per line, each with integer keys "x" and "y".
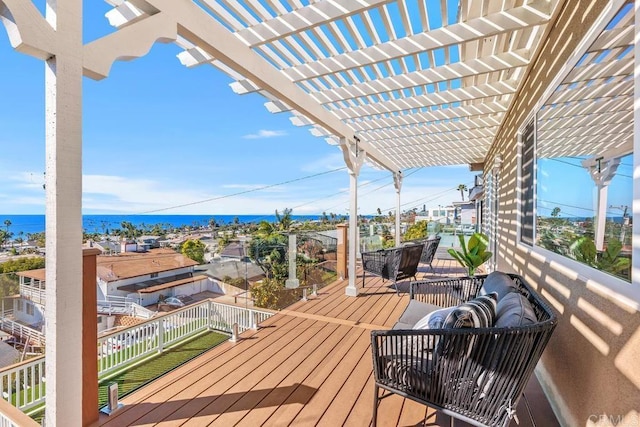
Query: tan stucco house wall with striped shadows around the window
{"x": 590, "y": 369}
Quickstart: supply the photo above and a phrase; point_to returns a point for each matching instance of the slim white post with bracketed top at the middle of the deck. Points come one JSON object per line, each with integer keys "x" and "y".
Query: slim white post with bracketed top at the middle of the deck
{"x": 354, "y": 159}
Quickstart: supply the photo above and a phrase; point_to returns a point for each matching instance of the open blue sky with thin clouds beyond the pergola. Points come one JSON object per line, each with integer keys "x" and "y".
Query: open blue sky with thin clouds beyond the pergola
{"x": 159, "y": 135}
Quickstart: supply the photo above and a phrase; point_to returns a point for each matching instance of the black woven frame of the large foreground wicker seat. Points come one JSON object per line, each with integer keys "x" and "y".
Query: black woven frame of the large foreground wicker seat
{"x": 474, "y": 374}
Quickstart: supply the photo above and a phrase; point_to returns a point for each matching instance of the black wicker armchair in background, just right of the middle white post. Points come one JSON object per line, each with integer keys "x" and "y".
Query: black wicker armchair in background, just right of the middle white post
{"x": 394, "y": 264}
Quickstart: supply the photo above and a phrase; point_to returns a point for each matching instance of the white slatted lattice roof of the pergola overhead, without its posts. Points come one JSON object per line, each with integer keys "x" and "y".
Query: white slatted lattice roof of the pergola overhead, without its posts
{"x": 420, "y": 83}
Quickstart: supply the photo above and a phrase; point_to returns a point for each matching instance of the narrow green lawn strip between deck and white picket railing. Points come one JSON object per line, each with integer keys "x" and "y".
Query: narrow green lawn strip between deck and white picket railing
{"x": 137, "y": 376}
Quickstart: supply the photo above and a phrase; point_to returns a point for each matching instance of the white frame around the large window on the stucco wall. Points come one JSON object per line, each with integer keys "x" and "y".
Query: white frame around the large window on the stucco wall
{"x": 625, "y": 292}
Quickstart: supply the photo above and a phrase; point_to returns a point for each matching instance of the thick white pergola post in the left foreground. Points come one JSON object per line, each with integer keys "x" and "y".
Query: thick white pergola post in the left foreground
{"x": 63, "y": 101}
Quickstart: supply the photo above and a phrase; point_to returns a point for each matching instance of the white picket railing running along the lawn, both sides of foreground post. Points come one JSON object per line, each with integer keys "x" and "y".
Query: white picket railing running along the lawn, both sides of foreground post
{"x": 23, "y": 384}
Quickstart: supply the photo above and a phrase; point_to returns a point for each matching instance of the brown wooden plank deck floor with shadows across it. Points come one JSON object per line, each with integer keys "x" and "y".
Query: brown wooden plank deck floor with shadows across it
{"x": 308, "y": 365}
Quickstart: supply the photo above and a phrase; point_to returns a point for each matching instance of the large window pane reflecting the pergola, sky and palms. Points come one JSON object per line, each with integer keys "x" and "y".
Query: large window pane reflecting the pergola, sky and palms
{"x": 577, "y": 159}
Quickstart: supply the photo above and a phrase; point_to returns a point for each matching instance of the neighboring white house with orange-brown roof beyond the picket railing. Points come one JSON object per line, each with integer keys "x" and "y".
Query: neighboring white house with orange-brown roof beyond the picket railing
{"x": 144, "y": 277}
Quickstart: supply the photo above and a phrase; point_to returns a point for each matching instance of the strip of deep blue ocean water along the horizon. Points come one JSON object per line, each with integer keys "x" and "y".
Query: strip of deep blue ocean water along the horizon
{"x": 21, "y": 225}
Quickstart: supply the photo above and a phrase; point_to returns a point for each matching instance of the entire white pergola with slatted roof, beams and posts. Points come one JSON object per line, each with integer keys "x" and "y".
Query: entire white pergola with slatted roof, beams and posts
{"x": 396, "y": 83}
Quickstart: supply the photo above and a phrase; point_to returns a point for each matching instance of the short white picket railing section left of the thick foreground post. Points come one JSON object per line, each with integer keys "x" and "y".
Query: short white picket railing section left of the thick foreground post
{"x": 23, "y": 384}
